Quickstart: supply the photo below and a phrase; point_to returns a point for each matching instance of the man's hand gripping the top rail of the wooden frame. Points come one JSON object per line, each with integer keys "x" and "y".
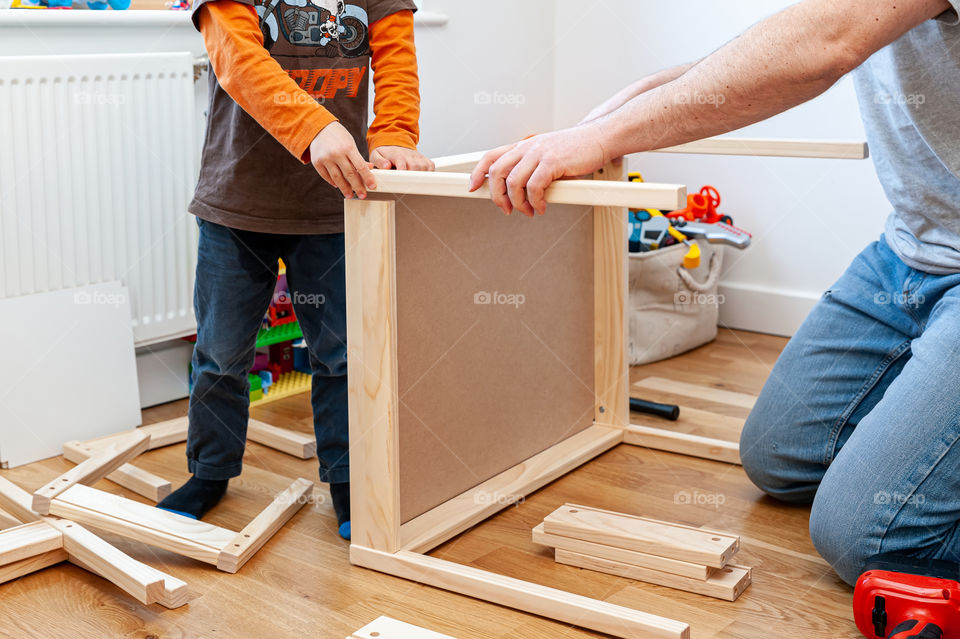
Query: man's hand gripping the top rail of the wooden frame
{"x": 520, "y": 173}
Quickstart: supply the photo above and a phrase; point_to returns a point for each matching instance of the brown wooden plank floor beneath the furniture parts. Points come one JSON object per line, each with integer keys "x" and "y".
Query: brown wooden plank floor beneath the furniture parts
{"x": 302, "y": 585}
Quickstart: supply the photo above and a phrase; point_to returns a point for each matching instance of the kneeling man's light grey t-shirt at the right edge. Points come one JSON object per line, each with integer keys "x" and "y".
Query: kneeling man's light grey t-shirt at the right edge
{"x": 909, "y": 95}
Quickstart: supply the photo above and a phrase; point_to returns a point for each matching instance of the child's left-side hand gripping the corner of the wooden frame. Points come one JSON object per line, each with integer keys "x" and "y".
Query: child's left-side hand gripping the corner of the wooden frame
{"x": 334, "y": 155}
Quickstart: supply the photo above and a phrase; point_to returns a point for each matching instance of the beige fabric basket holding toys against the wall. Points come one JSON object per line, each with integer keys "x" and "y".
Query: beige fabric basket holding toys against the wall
{"x": 672, "y": 309}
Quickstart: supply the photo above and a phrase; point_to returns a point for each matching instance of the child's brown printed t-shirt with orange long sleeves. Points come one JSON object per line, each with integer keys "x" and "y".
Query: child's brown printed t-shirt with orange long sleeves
{"x": 257, "y": 177}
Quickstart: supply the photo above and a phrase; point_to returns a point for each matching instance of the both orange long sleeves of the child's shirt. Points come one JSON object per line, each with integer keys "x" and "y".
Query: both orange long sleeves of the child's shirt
{"x": 257, "y": 82}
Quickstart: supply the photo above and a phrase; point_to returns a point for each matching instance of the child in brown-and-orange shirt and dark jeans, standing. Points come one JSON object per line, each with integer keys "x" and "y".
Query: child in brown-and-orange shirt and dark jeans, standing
{"x": 287, "y": 115}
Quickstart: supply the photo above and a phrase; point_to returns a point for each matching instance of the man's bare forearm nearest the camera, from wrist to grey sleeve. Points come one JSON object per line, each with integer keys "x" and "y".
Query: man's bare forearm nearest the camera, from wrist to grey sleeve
{"x": 781, "y": 62}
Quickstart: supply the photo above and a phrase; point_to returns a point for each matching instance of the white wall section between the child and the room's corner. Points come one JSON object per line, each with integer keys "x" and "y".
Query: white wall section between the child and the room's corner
{"x": 499, "y": 50}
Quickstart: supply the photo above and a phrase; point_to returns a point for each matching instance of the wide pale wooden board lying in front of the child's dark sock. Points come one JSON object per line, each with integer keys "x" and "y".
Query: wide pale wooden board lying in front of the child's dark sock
{"x": 140, "y": 522}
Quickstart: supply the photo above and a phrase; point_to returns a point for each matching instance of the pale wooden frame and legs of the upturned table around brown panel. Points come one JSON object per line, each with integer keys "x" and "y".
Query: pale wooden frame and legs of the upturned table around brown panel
{"x": 381, "y": 540}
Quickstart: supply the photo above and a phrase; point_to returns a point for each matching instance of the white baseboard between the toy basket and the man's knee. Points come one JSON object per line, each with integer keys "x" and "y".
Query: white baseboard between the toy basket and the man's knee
{"x": 764, "y": 310}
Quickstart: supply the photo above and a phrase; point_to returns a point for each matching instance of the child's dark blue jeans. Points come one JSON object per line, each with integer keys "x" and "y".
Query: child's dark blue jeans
{"x": 236, "y": 277}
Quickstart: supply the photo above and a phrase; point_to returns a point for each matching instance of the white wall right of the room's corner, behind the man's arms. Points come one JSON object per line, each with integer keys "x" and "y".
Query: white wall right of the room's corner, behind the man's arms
{"x": 809, "y": 217}
